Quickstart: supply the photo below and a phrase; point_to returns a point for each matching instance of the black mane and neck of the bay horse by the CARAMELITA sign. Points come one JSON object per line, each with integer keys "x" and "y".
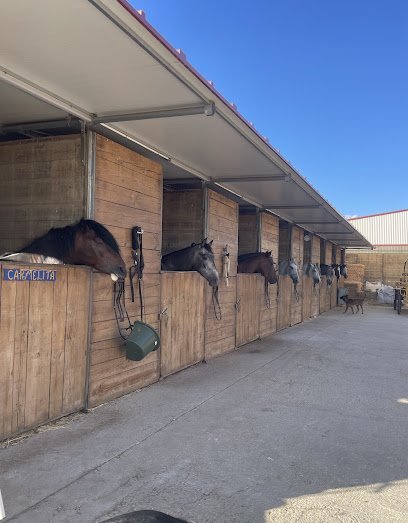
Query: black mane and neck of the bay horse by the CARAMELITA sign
{"x": 58, "y": 242}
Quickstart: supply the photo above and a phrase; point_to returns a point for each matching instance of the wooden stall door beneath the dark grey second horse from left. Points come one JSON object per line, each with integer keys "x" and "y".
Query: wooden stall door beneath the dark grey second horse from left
{"x": 182, "y": 323}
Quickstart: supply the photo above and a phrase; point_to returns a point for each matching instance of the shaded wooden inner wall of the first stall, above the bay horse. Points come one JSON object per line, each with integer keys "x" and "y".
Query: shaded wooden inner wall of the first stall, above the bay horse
{"x": 42, "y": 186}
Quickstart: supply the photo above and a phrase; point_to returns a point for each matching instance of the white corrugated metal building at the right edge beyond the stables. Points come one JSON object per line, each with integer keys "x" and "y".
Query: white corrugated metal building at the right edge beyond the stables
{"x": 387, "y": 232}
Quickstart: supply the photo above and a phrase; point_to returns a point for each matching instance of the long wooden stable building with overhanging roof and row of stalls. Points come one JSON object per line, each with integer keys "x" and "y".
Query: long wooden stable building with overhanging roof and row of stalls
{"x": 136, "y": 137}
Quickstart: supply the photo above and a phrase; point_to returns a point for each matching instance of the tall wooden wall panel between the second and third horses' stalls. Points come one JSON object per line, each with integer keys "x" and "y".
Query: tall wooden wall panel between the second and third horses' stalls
{"x": 222, "y": 227}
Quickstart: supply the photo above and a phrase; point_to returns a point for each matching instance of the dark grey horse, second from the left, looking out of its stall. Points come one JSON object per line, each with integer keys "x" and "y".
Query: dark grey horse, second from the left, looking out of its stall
{"x": 198, "y": 257}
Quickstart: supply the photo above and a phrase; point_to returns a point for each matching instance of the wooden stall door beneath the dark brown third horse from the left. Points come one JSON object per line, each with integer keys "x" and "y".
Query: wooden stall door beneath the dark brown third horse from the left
{"x": 248, "y": 308}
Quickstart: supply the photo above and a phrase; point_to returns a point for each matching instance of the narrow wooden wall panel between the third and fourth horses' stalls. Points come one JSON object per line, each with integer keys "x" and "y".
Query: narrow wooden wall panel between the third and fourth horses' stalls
{"x": 269, "y": 242}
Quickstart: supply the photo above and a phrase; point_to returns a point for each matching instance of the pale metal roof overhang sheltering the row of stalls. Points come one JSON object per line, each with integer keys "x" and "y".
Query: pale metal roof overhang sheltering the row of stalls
{"x": 101, "y": 62}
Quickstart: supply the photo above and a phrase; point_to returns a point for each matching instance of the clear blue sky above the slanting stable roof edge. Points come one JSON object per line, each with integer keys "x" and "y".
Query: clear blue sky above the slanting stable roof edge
{"x": 325, "y": 81}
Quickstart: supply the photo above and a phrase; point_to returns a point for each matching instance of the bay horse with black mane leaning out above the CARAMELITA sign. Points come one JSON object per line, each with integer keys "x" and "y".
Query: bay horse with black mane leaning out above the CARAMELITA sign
{"x": 85, "y": 243}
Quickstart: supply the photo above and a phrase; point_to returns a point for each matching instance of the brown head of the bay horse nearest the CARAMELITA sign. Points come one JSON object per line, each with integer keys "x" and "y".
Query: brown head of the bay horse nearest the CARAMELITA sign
{"x": 95, "y": 246}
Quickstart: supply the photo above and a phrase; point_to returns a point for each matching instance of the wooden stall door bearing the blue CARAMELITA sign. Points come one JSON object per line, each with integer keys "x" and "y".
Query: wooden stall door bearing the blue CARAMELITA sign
{"x": 44, "y": 342}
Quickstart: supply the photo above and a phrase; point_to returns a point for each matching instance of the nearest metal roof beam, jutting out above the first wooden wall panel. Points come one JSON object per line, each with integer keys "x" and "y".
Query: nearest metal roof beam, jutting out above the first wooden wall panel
{"x": 163, "y": 112}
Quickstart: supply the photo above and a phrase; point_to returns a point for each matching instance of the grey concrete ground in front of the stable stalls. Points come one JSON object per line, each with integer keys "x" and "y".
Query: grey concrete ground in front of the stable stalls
{"x": 309, "y": 425}
